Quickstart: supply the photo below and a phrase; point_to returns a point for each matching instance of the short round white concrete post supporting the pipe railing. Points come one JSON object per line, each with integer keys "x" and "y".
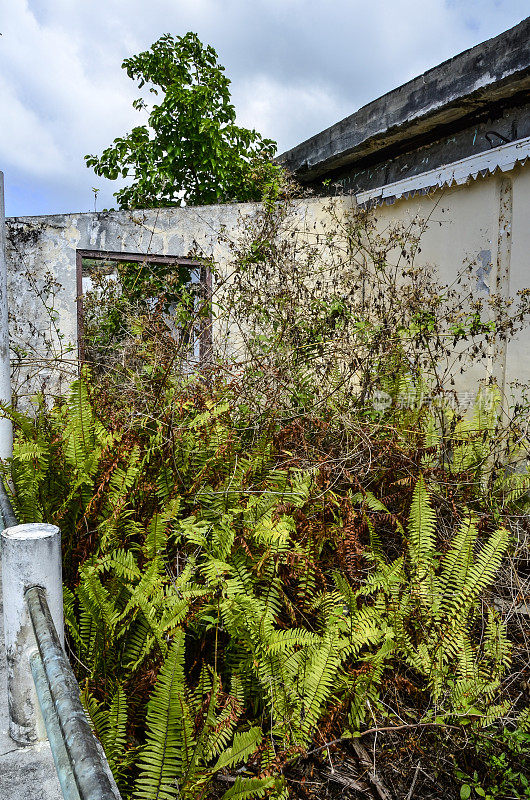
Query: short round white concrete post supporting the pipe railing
{"x": 31, "y": 556}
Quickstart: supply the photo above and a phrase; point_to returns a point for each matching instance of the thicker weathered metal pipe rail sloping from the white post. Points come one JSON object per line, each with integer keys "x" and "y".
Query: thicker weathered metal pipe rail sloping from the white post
{"x": 92, "y": 774}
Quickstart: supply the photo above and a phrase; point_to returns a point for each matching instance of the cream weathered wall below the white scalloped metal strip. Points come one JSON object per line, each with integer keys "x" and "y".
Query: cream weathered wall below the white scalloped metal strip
{"x": 486, "y": 225}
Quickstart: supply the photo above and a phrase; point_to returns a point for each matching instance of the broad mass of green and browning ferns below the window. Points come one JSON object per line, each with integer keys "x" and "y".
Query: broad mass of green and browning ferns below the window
{"x": 205, "y": 552}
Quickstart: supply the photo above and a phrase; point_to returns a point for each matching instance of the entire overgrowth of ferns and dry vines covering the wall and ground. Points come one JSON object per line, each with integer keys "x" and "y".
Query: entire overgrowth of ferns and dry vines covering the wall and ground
{"x": 298, "y": 571}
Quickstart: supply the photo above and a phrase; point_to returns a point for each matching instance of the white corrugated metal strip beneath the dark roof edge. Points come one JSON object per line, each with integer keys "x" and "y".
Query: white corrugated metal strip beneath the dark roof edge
{"x": 502, "y": 158}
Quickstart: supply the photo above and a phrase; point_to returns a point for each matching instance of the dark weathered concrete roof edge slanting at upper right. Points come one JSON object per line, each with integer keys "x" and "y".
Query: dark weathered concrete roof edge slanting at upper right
{"x": 493, "y": 71}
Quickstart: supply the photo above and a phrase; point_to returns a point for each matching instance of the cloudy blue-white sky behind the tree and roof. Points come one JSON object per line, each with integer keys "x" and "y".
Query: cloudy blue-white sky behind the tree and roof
{"x": 296, "y": 66}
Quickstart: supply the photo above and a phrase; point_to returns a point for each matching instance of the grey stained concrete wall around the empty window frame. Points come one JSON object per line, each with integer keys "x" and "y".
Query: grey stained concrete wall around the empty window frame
{"x": 41, "y": 260}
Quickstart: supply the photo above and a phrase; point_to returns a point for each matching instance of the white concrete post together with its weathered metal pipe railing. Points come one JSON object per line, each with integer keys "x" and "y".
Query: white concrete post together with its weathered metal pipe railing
{"x": 42, "y": 687}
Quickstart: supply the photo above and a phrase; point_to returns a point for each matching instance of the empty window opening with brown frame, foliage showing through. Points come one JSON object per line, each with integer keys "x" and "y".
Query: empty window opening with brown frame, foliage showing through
{"x": 115, "y": 288}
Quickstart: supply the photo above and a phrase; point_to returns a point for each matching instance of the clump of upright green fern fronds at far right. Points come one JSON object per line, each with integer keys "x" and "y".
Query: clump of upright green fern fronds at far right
{"x": 431, "y": 613}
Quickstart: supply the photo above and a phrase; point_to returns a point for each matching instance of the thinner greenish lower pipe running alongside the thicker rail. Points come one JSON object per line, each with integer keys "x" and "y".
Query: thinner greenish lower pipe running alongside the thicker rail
{"x": 53, "y": 729}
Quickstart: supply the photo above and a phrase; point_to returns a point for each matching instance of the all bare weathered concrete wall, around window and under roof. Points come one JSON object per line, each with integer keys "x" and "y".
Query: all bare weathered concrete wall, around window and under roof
{"x": 484, "y": 224}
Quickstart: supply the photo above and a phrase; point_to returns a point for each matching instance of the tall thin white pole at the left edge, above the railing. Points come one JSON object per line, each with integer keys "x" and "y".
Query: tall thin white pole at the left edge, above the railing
{"x": 6, "y": 426}
